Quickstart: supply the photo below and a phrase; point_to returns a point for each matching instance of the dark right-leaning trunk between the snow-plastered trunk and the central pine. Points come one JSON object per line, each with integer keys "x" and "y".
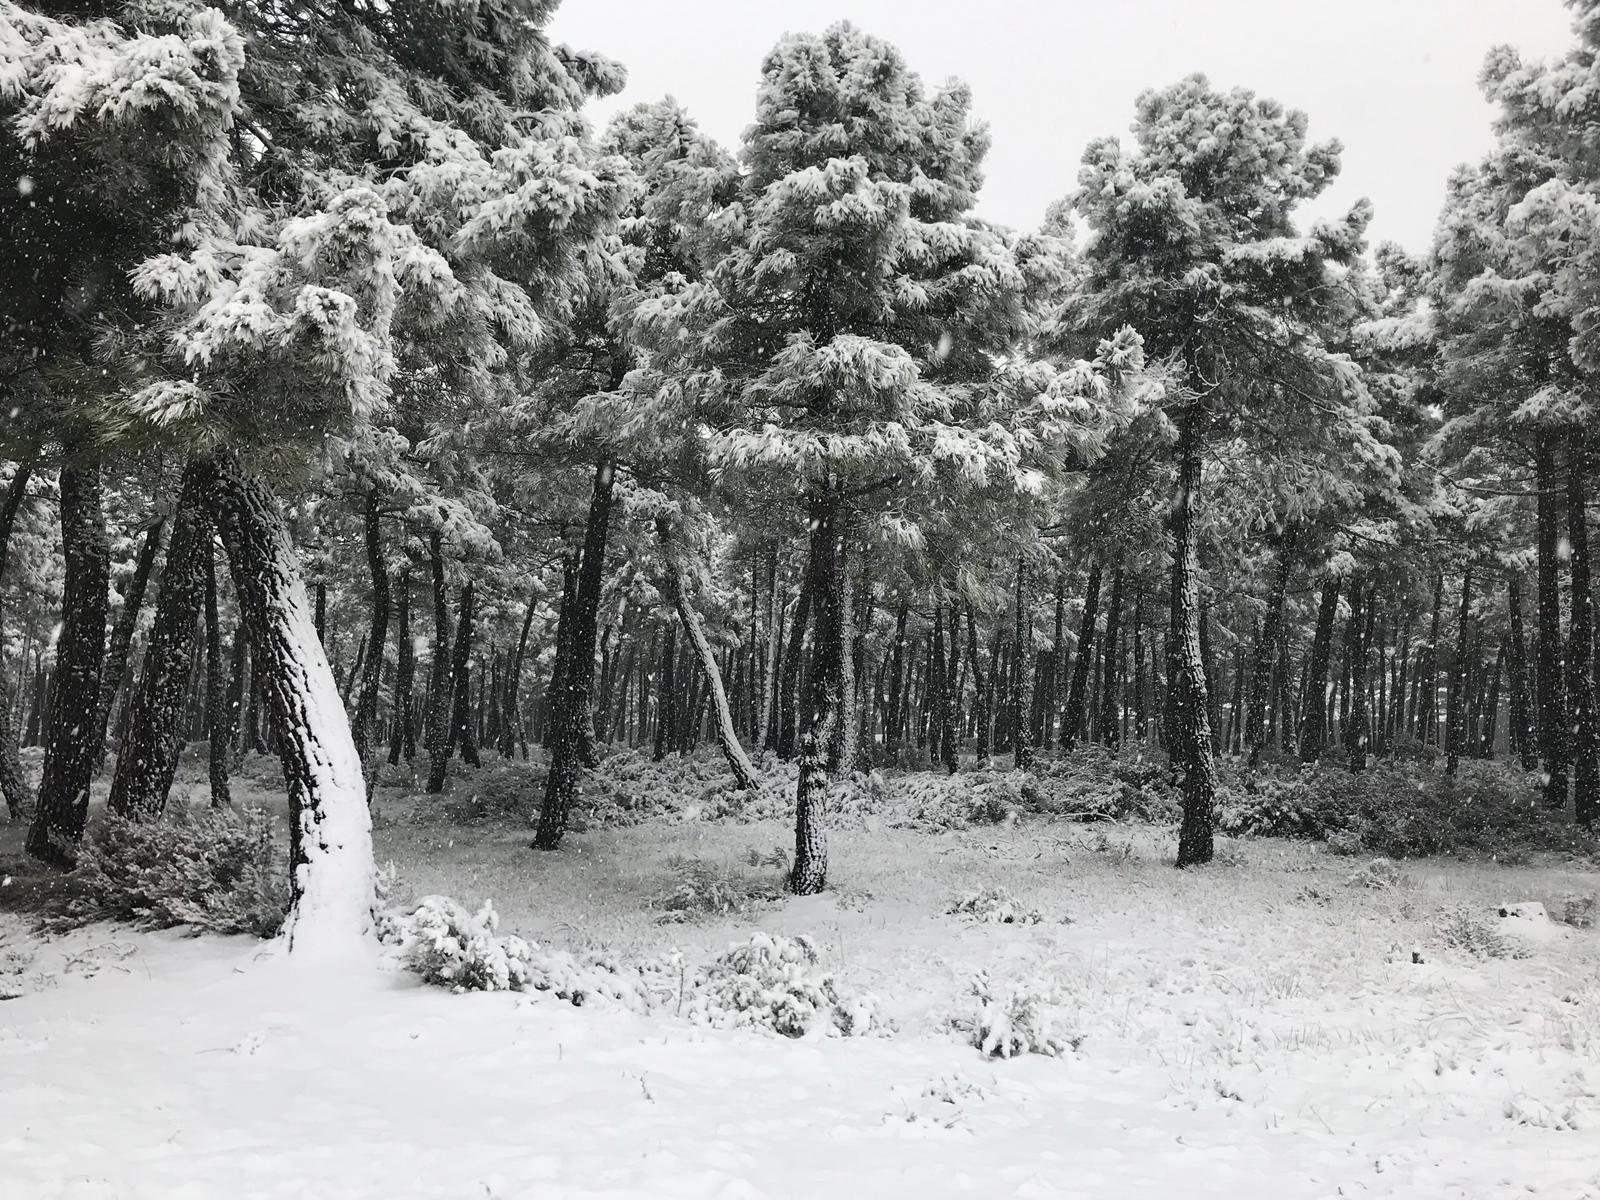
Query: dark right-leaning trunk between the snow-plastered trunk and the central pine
{"x": 574, "y": 692}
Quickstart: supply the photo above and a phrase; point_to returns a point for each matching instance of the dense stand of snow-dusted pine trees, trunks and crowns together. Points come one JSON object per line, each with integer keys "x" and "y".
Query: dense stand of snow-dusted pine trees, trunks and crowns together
{"x": 369, "y": 409}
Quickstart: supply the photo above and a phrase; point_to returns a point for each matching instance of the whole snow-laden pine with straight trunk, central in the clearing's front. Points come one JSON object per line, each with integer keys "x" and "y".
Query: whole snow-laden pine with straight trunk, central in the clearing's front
{"x": 844, "y": 350}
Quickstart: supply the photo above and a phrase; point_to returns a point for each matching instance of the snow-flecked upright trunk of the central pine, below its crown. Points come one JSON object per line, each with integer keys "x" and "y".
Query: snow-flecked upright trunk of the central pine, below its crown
{"x": 826, "y": 694}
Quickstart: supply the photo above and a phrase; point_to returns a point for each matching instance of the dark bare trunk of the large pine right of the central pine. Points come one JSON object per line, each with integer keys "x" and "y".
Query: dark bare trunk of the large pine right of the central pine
{"x": 1190, "y": 737}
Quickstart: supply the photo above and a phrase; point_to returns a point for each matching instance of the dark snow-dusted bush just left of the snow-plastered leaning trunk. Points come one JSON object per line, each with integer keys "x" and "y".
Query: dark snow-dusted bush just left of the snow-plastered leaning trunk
{"x": 206, "y": 868}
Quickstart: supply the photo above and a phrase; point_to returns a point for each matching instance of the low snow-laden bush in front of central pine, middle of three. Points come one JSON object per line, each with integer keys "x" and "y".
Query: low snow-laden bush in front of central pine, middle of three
{"x": 772, "y": 983}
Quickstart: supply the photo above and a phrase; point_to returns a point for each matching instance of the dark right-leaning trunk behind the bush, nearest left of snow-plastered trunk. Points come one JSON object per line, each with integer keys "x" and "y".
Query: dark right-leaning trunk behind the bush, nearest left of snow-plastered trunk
{"x": 148, "y": 758}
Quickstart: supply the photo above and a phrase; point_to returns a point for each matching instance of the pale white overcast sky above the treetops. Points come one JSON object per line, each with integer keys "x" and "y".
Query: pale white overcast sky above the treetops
{"x": 1396, "y": 81}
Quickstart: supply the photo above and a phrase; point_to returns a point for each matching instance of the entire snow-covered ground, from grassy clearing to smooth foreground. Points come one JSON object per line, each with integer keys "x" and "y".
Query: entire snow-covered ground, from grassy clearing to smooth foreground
{"x": 1262, "y": 1028}
